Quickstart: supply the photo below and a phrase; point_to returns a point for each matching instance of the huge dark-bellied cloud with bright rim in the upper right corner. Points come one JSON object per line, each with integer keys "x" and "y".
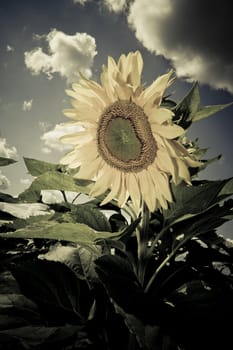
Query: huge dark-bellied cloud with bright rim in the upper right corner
{"x": 193, "y": 35}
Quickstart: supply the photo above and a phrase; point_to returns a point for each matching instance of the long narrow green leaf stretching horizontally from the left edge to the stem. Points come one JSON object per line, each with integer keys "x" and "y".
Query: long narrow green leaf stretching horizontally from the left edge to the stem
{"x": 72, "y": 232}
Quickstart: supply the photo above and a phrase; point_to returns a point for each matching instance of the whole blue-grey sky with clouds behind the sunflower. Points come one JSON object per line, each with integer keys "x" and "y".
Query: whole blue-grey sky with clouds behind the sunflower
{"x": 43, "y": 44}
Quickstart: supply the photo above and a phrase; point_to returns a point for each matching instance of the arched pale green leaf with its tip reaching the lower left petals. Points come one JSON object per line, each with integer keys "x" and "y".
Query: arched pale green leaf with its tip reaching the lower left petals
{"x": 53, "y": 180}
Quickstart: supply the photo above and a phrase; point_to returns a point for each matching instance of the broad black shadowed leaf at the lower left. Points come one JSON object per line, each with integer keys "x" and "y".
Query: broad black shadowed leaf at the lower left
{"x": 53, "y": 287}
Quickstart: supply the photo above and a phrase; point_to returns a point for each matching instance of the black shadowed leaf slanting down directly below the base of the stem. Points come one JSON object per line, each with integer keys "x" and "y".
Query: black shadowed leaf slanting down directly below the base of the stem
{"x": 125, "y": 291}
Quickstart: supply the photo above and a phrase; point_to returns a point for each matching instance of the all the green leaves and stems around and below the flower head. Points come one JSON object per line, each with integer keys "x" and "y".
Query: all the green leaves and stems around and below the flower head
{"x": 86, "y": 276}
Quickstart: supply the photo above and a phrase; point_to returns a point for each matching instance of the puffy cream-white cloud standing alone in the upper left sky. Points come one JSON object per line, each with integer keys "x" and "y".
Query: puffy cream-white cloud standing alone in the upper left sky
{"x": 67, "y": 55}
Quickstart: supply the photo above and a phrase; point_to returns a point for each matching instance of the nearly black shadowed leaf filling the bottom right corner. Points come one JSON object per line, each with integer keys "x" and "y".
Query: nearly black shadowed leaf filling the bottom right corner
{"x": 202, "y": 316}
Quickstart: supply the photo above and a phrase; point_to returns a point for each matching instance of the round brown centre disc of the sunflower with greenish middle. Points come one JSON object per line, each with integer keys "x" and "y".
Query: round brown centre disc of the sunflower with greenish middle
{"x": 124, "y": 136}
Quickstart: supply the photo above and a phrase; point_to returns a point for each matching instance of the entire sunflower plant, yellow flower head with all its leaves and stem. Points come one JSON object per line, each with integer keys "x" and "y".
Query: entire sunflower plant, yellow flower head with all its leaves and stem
{"x": 135, "y": 260}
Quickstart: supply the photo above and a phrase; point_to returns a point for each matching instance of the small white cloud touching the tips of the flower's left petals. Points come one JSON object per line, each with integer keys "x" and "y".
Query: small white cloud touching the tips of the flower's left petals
{"x": 51, "y": 138}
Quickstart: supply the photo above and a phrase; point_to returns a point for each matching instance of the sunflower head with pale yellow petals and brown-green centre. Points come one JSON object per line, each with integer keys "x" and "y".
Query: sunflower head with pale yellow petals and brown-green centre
{"x": 127, "y": 143}
